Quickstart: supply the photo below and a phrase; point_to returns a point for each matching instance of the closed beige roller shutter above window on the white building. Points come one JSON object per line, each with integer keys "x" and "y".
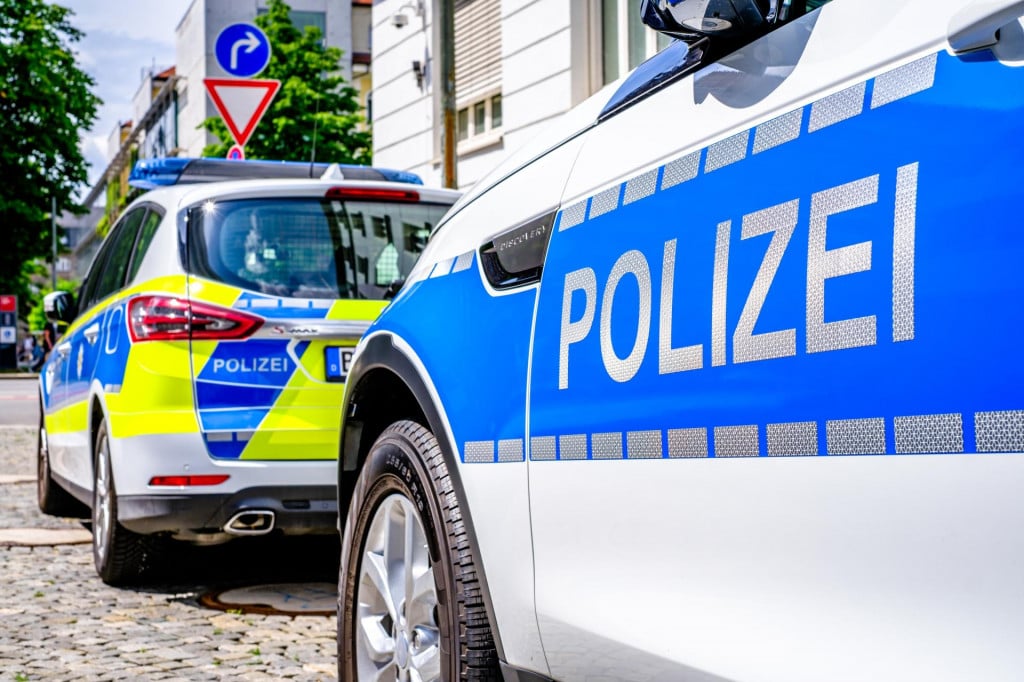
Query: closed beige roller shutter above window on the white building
{"x": 478, "y": 50}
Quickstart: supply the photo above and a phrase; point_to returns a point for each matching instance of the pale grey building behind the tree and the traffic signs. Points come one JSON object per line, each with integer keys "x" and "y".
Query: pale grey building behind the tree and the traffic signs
{"x": 197, "y": 34}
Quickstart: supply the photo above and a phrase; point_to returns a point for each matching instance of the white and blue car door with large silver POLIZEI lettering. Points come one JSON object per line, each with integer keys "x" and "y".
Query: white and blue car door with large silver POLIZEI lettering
{"x": 803, "y": 252}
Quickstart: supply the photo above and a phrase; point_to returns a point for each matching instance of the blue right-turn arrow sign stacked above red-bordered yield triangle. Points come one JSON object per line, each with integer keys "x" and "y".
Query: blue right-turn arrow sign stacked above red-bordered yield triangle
{"x": 243, "y": 51}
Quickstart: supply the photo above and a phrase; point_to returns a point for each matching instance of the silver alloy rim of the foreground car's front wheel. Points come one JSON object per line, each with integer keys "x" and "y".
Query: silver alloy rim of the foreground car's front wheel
{"x": 397, "y": 632}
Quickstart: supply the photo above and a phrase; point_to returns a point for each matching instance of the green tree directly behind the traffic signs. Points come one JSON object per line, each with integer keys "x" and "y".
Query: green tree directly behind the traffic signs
{"x": 314, "y": 96}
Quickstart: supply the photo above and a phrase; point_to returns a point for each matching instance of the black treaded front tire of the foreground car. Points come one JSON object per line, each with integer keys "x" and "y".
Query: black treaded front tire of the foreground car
{"x": 406, "y": 468}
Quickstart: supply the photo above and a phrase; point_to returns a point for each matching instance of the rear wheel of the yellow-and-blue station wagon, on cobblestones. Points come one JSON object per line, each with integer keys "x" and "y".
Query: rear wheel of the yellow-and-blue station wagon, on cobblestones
{"x": 121, "y": 557}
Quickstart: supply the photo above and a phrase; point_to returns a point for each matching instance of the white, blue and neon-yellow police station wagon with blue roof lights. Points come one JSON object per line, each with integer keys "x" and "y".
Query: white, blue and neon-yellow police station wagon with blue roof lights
{"x": 196, "y": 395}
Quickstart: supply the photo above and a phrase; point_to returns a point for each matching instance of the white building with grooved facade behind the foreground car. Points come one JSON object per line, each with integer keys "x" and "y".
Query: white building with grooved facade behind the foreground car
{"x": 520, "y": 64}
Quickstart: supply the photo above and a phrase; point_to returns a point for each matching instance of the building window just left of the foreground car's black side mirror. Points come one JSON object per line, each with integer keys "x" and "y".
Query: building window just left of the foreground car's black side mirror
{"x": 625, "y": 40}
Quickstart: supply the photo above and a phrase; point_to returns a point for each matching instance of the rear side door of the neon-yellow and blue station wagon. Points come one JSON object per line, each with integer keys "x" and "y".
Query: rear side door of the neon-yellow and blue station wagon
{"x": 86, "y": 346}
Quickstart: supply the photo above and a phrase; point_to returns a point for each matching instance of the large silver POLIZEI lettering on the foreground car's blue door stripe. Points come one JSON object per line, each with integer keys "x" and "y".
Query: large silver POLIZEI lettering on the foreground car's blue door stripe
{"x": 656, "y": 306}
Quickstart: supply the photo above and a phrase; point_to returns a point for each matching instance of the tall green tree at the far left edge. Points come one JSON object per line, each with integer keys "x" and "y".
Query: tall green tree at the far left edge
{"x": 47, "y": 101}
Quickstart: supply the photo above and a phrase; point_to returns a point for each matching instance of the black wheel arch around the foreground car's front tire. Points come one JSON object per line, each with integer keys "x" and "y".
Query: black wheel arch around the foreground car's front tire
{"x": 386, "y": 381}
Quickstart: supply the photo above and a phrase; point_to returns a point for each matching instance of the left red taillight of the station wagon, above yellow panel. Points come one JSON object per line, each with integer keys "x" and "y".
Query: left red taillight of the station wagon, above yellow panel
{"x": 170, "y": 319}
